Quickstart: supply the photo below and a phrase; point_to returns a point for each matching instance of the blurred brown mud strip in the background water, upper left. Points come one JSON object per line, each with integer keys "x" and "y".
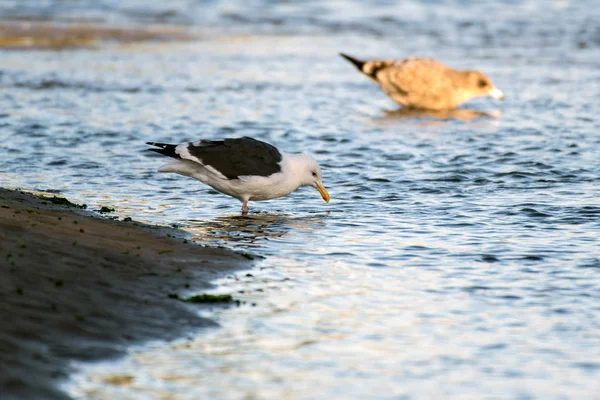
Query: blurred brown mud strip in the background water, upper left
{"x": 53, "y": 35}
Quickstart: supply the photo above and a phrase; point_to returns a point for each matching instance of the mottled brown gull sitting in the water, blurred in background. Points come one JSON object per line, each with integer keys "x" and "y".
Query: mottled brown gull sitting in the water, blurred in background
{"x": 424, "y": 83}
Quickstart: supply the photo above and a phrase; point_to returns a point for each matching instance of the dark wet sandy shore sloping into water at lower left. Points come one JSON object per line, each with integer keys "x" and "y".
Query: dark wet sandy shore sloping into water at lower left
{"x": 74, "y": 286}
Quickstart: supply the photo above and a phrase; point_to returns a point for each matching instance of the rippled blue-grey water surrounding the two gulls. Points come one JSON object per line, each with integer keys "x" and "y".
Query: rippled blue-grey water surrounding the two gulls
{"x": 457, "y": 259}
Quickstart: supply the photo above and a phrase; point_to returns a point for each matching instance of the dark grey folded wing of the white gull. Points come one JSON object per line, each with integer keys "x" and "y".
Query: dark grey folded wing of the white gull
{"x": 234, "y": 157}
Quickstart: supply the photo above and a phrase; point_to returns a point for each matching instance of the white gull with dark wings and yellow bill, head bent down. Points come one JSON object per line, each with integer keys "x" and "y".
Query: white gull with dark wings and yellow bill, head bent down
{"x": 244, "y": 168}
